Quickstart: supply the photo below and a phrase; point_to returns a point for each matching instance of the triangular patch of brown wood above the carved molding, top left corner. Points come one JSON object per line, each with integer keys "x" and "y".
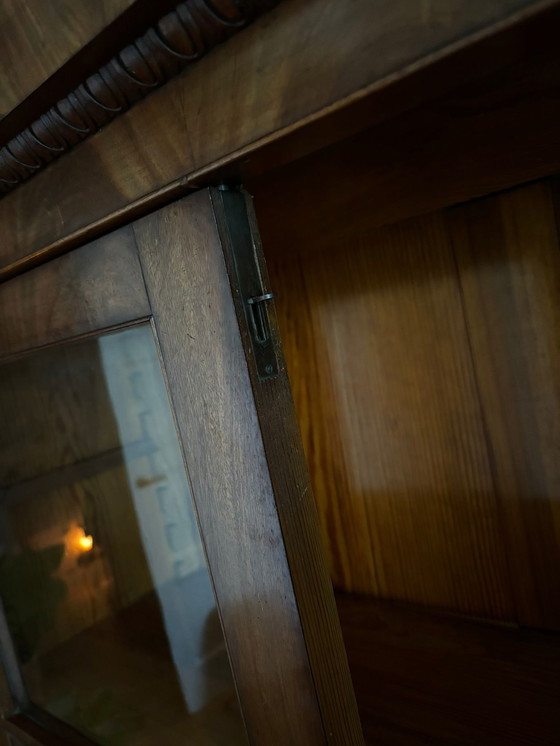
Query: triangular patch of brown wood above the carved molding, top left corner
{"x": 37, "y": 37}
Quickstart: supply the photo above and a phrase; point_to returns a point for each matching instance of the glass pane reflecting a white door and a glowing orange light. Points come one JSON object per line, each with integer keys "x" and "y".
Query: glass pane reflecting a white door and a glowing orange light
{"x": 102, "y": 572}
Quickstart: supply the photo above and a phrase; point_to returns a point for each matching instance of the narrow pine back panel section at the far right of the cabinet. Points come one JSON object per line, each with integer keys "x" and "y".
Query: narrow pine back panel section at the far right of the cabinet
{"x": 509, "y": 261}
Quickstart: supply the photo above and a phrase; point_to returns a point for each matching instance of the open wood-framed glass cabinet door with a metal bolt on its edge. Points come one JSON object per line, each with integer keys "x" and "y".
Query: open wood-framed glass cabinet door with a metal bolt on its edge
{"x": 161, "y": 574}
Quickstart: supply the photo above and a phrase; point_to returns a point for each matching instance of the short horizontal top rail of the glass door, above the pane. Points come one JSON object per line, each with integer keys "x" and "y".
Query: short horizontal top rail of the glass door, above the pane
{"x": 95, "y": 287}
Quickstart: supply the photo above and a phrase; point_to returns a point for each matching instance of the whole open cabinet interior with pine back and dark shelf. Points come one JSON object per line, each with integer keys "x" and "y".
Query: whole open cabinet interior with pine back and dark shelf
{"x": 417, "y": 274}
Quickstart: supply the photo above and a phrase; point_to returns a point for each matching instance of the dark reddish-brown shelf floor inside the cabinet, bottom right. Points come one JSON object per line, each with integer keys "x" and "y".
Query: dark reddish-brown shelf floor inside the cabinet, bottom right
{"x": 423, "y": 679}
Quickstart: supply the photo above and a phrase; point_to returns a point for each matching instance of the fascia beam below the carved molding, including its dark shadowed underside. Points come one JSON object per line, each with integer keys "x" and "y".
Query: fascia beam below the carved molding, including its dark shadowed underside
{"x": 246, "y": 107}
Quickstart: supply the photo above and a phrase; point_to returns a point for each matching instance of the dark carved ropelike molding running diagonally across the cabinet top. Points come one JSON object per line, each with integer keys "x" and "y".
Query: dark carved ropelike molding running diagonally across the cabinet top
{"x": 179, "y": 39}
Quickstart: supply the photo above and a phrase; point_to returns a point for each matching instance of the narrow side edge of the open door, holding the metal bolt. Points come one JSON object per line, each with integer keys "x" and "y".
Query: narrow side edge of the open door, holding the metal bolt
{"x": 293, "y": 494}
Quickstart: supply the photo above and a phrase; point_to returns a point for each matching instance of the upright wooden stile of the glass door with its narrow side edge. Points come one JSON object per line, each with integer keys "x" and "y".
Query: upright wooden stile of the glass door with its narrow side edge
{"x": 252, "y": 495}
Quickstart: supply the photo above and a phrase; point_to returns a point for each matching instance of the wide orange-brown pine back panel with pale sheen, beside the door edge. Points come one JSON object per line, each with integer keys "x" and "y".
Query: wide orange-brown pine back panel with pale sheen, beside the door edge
{"x": 378, "y": 356}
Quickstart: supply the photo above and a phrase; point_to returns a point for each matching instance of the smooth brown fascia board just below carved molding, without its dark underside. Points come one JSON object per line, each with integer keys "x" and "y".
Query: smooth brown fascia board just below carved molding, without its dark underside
{"x": 265, "y": 82}
